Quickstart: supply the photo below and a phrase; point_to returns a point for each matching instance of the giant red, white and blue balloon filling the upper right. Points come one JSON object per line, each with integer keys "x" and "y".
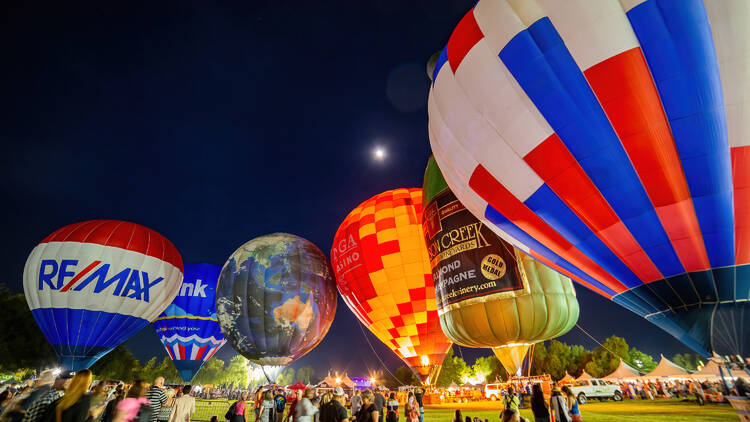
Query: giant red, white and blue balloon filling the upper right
{"x": 610, "y": 140}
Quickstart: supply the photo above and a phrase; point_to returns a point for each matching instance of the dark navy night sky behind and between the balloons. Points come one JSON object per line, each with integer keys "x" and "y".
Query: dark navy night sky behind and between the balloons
{"x": 216, "y": 123}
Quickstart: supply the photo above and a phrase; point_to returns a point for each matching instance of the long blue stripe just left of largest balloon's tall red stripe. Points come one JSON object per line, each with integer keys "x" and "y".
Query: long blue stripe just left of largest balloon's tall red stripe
{"x": 542, "y": 65}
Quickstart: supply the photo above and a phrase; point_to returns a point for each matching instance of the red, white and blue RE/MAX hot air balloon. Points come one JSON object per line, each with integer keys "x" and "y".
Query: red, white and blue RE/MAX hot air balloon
{"x": 92, "y": 285}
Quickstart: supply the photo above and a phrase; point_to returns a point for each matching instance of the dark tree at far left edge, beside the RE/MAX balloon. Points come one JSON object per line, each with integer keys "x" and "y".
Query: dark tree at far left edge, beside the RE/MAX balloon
{"x": 22, "y": 344}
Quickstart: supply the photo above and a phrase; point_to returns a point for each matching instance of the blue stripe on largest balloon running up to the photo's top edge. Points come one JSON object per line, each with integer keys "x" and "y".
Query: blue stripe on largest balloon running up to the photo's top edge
{"x": 676, "y": 40}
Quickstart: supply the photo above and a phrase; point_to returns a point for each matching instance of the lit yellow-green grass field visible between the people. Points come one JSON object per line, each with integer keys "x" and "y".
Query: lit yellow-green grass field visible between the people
{"x": 635, "y": 411}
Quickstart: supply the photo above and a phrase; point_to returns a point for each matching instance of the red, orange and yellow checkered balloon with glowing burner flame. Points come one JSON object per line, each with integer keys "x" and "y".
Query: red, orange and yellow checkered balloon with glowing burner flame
{"x": 384, "y": 276}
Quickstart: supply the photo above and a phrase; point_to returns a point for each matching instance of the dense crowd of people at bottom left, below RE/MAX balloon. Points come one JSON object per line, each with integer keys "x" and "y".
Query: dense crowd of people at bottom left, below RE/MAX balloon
{"x": 73, "y": 397}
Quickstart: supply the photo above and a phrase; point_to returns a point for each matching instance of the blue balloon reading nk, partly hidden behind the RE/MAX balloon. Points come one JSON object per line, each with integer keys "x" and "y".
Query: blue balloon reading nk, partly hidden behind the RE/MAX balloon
{"x": 189, "y": 328}
